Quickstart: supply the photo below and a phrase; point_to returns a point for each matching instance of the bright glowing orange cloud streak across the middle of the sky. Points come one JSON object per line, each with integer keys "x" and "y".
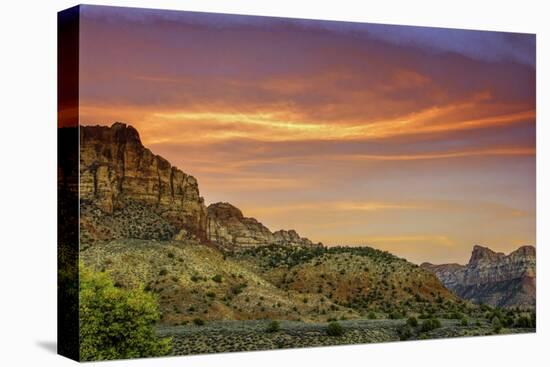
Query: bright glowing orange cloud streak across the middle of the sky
{"x": 283, "y": 126}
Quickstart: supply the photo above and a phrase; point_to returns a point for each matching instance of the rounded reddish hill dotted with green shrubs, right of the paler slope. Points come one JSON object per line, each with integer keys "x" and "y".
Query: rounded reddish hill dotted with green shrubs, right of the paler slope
{"x": 362, "y": 279}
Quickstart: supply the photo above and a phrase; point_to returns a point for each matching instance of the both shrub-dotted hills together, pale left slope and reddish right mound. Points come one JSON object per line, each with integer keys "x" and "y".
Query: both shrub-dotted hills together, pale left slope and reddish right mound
{"x": 271, "y": 282}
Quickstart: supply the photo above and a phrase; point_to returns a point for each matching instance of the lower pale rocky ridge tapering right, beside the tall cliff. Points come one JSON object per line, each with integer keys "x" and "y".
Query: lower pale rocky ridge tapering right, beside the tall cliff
{"x": 227, "y": 227}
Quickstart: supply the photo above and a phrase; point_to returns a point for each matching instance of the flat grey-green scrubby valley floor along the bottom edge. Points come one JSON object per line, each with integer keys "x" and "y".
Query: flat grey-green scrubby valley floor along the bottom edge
{"x": 233, "y": 336}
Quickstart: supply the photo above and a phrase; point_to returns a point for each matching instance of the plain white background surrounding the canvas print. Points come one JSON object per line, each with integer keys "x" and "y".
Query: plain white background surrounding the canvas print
{"x": 28, "y": 181}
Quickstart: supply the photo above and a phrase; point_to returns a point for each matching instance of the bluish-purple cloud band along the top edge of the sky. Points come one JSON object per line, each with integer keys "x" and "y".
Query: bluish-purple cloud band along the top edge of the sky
{"x": 479, "y": 45}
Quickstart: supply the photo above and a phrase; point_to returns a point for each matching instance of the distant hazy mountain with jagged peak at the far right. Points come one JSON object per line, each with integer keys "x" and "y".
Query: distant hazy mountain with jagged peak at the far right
{"x": 492, "y": 278}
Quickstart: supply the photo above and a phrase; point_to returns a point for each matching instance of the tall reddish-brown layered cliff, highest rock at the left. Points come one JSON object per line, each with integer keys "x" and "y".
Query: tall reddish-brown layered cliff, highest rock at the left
{"x": 117, "y": 171}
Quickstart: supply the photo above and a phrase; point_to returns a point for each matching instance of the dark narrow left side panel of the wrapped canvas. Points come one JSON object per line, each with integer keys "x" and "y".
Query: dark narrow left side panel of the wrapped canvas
{"x": 67, "y": 183}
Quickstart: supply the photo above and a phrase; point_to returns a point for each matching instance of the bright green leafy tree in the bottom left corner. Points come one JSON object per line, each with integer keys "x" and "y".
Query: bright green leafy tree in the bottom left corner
{"x": 116, "y": 323}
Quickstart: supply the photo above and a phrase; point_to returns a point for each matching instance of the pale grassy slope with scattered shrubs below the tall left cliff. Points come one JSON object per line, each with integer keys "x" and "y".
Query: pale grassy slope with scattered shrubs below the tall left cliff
{"x": 181, "y": 274}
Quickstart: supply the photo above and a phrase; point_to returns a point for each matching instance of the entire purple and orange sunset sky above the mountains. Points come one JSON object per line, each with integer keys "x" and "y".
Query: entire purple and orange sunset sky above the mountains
{"x": 415, "y": 140}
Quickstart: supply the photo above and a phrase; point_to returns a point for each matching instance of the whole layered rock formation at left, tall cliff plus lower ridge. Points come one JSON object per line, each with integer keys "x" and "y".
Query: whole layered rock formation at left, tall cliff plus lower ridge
{"x": 126, "y": 191}
